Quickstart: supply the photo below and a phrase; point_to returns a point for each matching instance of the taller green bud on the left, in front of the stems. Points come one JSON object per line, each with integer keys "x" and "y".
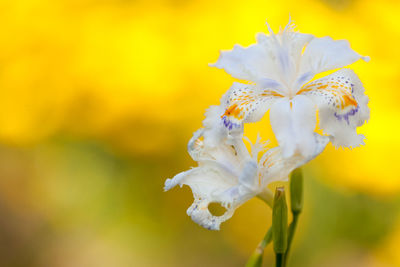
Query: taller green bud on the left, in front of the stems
{"x": 279, "y": 221}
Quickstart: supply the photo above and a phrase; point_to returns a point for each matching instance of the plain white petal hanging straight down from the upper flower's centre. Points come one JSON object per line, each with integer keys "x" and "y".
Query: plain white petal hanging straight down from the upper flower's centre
{"x": 293, "y": 122}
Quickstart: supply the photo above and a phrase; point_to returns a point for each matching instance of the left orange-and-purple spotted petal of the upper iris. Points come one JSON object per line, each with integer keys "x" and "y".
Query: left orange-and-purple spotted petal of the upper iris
{"x": 247, "y": 103}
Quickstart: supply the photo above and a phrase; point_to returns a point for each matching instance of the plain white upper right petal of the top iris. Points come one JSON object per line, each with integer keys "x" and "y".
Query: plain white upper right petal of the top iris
{"x": 323, "y": 54}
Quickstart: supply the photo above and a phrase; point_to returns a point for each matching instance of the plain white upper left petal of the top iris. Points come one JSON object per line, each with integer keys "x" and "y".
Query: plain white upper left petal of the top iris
{"x": 252, "y": 63}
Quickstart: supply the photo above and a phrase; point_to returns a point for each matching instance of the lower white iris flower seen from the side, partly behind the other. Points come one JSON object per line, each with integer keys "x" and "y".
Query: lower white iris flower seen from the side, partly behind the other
{"x": 227, "y": 173}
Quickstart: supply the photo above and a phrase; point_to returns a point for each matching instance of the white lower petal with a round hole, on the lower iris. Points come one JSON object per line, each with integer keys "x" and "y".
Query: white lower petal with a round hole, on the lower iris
{"x": 211, "y": 184}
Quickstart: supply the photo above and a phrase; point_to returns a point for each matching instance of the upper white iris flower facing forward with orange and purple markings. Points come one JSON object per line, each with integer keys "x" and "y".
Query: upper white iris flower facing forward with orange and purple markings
{"x": 280, "y": 67}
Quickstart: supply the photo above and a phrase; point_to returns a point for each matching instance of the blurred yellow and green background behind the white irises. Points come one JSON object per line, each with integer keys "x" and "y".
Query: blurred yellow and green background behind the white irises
{"x": 98, "y": 99}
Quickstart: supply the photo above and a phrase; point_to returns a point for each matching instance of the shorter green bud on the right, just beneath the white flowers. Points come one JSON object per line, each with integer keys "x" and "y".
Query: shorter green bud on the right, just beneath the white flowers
{"x": 296, "y": 191}
